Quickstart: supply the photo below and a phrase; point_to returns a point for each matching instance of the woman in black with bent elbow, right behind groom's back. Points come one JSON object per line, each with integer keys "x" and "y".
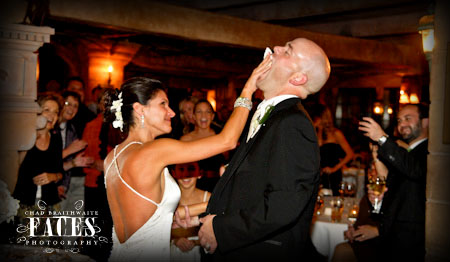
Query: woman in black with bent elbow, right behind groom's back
{"x": 335, "y": 151}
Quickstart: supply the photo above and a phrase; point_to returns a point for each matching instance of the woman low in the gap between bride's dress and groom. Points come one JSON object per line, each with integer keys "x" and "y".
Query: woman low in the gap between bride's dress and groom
{"x": 182, "y": 248}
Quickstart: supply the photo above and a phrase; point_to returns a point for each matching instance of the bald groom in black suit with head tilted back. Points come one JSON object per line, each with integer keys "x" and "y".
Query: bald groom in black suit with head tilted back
{"x": 262, "y": 206}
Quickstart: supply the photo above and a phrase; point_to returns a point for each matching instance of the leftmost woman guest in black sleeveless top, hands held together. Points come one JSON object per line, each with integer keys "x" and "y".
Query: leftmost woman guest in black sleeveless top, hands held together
{"x": 42, "y": 167}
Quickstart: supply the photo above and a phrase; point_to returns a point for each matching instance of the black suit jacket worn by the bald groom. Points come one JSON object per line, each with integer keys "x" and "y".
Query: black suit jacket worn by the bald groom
{"x": 265, "y": 200}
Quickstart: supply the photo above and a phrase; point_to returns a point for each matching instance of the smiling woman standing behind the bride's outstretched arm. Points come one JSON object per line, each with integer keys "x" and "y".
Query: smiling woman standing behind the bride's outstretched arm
{"x": 203, "y": 116}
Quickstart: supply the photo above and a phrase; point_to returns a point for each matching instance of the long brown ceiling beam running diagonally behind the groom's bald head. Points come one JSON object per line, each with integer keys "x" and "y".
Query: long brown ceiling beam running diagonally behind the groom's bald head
{"x": 157, "y": 18}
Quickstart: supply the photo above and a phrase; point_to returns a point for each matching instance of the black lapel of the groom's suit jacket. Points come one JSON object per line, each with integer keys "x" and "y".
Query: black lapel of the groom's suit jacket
{"x": 245, "y": 147}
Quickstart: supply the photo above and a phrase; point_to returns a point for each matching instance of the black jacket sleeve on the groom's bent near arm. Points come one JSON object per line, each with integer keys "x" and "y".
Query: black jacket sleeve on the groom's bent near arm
{"x": 293, "y": 170}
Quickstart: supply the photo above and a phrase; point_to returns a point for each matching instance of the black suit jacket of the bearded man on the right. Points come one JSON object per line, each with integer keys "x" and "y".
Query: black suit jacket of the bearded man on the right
{"x": 403, "y": 208}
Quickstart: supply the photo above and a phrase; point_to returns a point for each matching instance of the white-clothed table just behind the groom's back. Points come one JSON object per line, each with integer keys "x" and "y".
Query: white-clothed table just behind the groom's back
{"x": 325, "y": 234}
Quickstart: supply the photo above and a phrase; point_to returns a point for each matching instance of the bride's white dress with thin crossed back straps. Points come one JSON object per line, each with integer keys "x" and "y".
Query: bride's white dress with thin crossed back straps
{"x": 151, "y": 242}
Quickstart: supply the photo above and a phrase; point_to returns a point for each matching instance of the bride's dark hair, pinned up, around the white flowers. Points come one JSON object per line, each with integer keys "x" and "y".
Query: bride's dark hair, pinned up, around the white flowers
{"x": 136, "y": 89}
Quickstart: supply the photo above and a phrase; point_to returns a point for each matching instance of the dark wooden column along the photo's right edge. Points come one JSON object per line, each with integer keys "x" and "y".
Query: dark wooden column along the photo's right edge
{"x": 438, "y": 178}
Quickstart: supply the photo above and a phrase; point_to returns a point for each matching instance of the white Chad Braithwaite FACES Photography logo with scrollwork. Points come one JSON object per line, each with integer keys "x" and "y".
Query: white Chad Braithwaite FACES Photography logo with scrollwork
{"x": 68, "y": 230}
